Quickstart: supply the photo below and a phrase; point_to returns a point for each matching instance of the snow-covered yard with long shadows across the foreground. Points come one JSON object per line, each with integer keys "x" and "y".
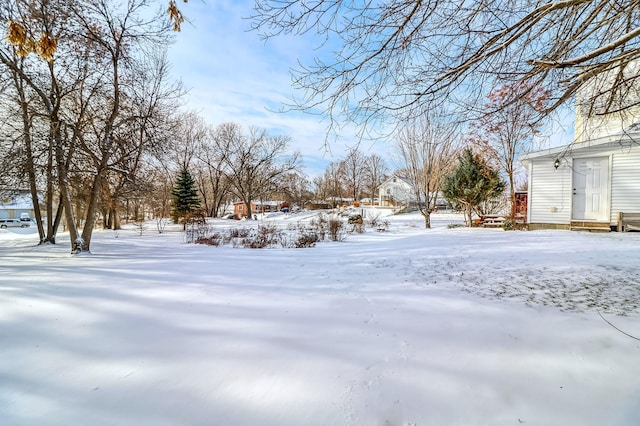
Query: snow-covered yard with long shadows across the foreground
{"x": 406, "y": 327}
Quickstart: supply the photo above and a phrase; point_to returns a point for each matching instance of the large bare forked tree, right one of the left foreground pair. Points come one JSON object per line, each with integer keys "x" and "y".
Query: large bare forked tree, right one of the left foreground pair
{"x": 123, "y": 44}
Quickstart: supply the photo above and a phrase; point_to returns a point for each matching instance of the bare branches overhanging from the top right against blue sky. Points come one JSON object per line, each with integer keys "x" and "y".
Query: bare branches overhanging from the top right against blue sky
{"x": 384, "y": 62}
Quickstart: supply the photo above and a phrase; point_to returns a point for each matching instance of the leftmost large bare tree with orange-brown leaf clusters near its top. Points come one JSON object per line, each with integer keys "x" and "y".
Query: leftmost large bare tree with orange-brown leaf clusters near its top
{"x": 41, "y": 89}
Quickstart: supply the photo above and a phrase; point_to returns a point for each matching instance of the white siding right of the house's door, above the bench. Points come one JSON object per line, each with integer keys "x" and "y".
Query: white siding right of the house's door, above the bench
{"x": 625, "y": 182}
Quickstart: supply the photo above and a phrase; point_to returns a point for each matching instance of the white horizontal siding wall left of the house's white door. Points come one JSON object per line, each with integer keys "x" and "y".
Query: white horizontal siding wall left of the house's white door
{"x": 550, "y": 192}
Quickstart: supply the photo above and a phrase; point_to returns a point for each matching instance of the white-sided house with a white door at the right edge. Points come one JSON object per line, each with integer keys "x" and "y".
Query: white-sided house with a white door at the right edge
{"x": 587, "y": 184}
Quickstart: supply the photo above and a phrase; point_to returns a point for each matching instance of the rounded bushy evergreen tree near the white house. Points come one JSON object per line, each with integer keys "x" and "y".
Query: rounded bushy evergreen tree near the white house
{"x": 472, "y": 183}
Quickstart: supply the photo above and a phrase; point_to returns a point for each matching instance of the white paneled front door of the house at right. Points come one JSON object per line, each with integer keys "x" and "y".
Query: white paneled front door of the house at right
{"x": 591, "y": 189}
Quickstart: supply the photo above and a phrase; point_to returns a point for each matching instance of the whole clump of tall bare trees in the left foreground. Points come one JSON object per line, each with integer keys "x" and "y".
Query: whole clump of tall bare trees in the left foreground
{"x": 86, "y": 105}
